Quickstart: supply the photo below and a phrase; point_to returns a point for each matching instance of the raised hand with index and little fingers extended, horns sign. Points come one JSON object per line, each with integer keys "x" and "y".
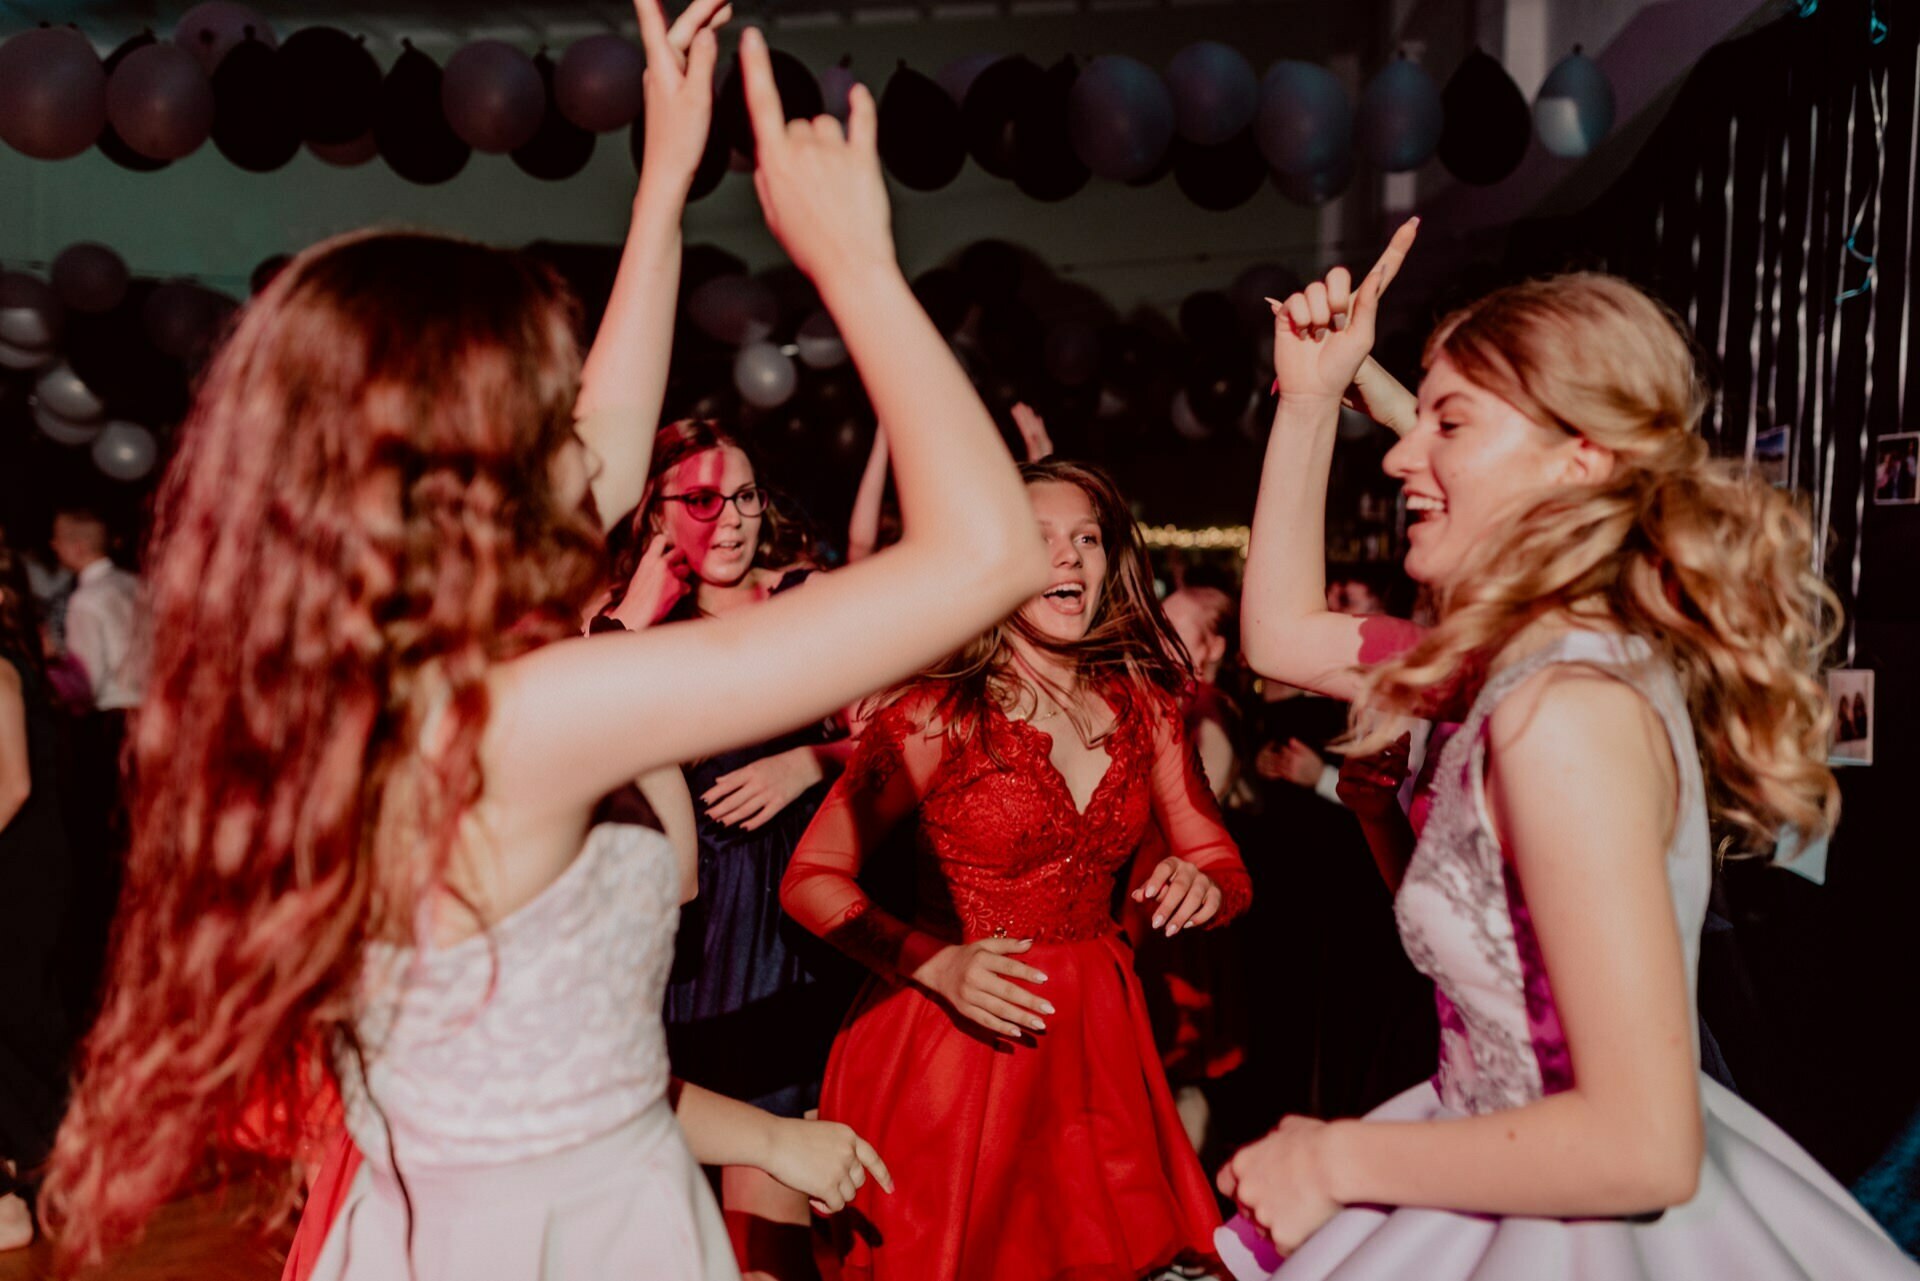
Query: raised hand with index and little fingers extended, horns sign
{"x": 821, "y": 189}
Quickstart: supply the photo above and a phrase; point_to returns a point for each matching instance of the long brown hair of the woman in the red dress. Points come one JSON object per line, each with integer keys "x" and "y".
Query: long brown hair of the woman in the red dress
{"x": 1130, "y": 646}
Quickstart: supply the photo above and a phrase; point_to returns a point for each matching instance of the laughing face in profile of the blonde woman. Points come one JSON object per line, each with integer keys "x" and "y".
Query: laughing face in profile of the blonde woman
{"x": 1470, "y": 466}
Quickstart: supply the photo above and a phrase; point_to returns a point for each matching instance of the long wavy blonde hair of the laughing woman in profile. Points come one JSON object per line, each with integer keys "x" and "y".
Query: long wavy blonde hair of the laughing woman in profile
{"x": 1694, "y": 554}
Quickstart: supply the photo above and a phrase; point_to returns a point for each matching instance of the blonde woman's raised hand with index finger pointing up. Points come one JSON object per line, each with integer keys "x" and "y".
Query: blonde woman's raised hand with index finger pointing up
{"x": 1324, "y": 333}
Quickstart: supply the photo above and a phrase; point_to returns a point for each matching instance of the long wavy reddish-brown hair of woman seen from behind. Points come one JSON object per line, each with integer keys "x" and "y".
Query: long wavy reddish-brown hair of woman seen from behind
{"x": 358, "y": 525}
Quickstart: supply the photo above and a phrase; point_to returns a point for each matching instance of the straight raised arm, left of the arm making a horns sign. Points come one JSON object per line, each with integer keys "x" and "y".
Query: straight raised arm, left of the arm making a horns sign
{"x": 625, "y": 377}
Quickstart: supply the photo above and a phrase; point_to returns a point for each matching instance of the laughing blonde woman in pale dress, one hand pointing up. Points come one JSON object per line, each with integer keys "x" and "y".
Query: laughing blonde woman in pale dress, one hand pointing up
{"x": 1629, "y": 635}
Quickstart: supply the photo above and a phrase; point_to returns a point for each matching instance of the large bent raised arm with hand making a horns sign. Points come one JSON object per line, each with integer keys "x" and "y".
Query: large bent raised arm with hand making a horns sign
{"x": 583, "y": 717}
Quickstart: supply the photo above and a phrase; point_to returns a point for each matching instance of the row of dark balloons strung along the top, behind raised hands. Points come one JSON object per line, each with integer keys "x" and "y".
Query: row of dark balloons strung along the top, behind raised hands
{"x": 1207, "y": 120}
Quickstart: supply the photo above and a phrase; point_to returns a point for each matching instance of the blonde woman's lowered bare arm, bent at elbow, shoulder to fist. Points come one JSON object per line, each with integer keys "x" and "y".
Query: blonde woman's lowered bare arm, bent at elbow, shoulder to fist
{"x": 1591, "y": 859}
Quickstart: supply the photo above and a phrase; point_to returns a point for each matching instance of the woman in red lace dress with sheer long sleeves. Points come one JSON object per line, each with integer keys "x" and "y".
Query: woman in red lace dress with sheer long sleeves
{"x": 1001, "y": 1055}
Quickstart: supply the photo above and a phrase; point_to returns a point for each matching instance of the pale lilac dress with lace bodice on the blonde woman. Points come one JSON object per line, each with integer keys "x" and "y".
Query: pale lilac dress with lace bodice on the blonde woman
{"x": 1765, "y": 1211}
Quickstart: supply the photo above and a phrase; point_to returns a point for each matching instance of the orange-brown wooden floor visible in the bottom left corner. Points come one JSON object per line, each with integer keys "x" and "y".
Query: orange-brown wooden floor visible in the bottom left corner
{"x": 193, "y": 1240}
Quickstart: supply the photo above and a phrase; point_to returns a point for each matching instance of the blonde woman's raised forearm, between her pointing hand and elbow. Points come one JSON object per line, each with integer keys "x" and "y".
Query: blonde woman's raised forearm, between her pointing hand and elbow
{"x": 1285, "y": 560}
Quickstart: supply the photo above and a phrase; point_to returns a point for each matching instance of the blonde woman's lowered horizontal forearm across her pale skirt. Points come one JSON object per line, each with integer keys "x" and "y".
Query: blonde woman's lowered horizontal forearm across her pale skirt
{"x": 1560, "y": 1157}
